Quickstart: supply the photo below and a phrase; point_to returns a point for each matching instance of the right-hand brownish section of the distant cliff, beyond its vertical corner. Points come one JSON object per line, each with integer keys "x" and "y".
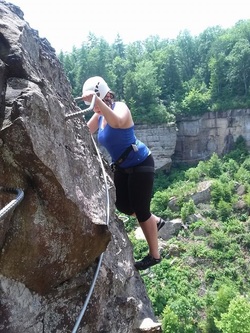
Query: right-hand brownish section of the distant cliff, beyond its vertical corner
{"x": 214, "y": 132}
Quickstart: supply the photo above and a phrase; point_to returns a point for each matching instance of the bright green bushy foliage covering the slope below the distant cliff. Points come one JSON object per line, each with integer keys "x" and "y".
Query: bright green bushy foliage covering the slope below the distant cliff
{"x": 197, "y": 287}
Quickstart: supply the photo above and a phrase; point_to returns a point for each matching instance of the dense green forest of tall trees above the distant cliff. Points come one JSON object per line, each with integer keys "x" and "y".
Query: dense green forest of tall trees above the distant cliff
{"x": 162, "y": 78}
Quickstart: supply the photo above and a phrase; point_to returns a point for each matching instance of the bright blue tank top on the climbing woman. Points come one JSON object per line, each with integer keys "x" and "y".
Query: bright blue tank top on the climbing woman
{"x": 117, "y": 140}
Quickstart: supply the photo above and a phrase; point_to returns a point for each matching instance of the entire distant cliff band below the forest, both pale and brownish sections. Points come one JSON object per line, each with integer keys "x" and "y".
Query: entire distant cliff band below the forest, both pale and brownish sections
{"x": 195, "y": 138}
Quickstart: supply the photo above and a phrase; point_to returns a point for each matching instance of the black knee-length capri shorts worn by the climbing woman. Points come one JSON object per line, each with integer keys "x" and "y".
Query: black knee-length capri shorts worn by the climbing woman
{"x": 134, "y": 190}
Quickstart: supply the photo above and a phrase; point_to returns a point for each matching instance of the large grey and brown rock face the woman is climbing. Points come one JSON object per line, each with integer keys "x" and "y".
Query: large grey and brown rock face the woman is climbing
{"x": 51, "y": 243}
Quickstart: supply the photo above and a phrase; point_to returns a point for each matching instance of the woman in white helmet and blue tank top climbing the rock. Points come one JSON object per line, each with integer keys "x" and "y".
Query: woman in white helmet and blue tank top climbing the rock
{"x": 132, "y": 162}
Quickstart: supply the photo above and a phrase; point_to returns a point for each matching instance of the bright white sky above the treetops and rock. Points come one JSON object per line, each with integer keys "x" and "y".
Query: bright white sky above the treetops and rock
{"x": 68, "y": 23}
